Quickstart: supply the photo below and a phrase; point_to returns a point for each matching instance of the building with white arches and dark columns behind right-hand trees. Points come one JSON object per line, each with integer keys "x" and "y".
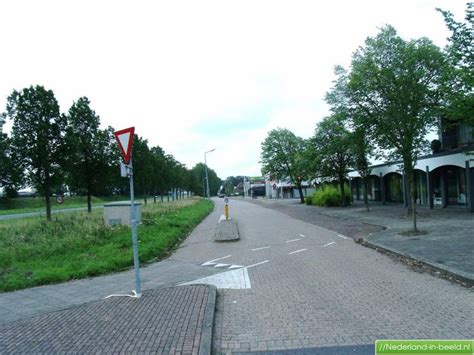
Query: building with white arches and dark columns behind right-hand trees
{"x": 445, "y": 178}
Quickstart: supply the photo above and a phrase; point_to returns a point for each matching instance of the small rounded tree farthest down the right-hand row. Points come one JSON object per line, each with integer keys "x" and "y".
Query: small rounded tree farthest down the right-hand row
{"x": 283, "y": 156}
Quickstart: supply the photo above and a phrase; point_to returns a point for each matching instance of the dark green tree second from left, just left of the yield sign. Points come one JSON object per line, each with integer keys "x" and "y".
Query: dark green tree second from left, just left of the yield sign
{"x": 88, "y": 150}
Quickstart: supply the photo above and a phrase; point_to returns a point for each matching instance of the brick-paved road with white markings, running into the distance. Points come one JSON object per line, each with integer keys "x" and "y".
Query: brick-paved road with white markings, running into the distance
{"x": 304, "y": 286}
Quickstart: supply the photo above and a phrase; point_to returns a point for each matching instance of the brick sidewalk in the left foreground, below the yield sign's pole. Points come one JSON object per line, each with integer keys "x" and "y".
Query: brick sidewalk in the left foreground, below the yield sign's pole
{"x": 167, "y": 320}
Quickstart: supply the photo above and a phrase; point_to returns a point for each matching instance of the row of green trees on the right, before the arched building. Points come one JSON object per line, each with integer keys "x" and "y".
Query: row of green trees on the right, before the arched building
{"x": 395, "y": 92}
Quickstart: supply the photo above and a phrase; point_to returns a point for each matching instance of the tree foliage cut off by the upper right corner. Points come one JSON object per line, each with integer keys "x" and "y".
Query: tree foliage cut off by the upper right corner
{"x": 459, "y": 83}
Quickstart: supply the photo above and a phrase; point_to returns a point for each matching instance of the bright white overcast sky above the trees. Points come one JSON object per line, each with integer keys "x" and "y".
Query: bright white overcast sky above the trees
{"x": 196, "y": 75}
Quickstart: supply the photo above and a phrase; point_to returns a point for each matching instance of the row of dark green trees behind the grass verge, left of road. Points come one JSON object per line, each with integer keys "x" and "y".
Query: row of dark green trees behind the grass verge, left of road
{"x": 55, "y": 152}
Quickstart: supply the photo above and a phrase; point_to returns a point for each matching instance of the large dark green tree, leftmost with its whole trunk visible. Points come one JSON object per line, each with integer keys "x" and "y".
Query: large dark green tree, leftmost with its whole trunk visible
{"x": 37, "y": 138}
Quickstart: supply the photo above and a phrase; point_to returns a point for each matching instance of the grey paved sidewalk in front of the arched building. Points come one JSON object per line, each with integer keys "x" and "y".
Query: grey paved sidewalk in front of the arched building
{"x": 448, "y": 244}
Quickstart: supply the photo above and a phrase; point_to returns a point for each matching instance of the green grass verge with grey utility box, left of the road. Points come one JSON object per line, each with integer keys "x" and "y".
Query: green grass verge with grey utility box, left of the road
{"x": 77, "y": 245}
